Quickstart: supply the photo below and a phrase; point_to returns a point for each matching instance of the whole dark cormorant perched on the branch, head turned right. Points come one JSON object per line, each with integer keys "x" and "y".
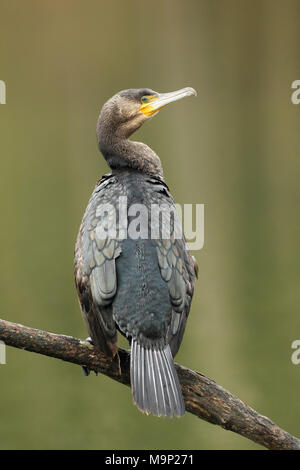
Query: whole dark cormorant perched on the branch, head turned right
{"x": 127, "y": 280}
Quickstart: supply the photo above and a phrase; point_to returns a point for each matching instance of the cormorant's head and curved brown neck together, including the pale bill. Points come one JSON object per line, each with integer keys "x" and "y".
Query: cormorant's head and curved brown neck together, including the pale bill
{"x": 122, "y": 115}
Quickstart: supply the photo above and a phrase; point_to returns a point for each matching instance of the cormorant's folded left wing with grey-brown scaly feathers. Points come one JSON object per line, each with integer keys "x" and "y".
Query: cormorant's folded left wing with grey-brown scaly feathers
{"x": 97, "y": 247}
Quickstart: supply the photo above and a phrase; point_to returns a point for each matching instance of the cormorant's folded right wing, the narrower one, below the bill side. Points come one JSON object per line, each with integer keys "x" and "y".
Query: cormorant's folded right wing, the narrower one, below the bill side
{"x": 177, "y": 267}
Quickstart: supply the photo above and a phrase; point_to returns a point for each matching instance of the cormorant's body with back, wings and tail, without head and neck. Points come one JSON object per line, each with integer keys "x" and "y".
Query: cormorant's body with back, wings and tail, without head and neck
{"x": 138, "y": 280}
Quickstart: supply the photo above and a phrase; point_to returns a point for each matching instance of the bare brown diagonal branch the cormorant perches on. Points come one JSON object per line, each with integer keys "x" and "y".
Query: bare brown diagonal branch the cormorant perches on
{"x": 203, "y": 397}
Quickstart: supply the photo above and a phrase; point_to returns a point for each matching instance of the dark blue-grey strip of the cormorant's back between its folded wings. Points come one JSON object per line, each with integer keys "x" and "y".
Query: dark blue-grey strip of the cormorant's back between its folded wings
{"x": 141, "y": 307}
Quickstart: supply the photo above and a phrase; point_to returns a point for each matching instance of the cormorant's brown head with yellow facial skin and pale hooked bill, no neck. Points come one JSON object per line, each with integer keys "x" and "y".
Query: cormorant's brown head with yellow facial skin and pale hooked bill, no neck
{"x": 126, "y": 111}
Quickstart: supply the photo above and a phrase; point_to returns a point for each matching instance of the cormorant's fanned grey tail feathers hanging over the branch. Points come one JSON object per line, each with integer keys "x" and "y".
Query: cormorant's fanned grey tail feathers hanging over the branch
{"x": 154, "y": 382}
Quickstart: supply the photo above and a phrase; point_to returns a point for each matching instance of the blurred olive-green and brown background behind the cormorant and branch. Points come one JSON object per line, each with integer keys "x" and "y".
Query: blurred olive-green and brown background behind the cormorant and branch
{"x": 235, "y": 148}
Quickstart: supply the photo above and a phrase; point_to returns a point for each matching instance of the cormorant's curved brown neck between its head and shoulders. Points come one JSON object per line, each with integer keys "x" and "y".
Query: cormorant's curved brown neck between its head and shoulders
{"x": 121, "y": 153}
